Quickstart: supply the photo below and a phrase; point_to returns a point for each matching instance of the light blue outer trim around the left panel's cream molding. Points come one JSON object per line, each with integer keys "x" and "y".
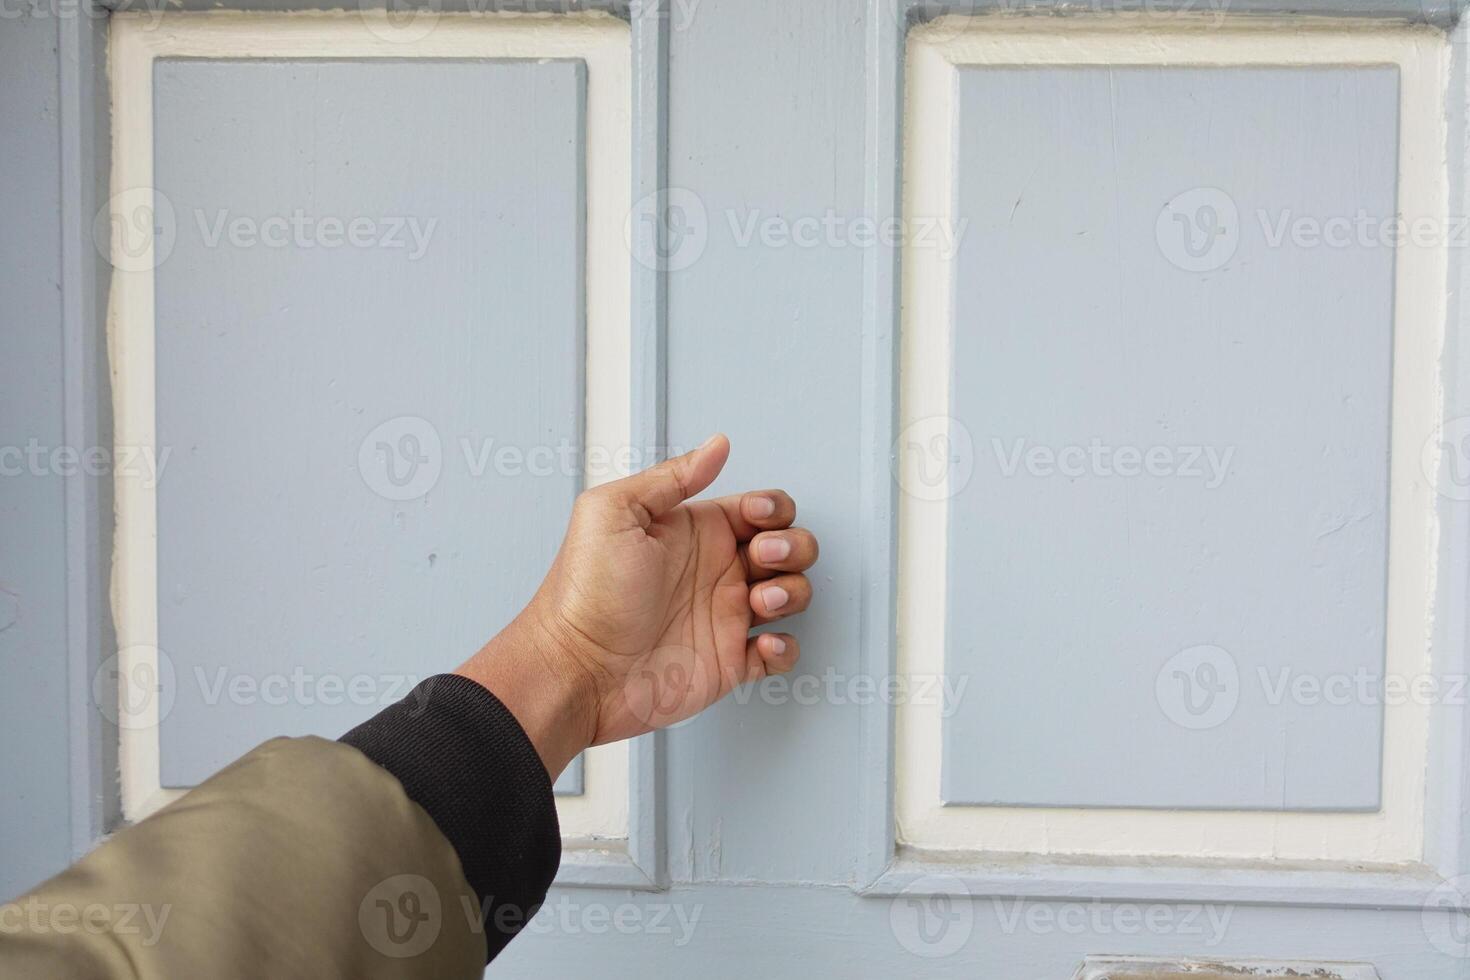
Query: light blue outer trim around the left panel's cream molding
{"x": 636, "y": 863}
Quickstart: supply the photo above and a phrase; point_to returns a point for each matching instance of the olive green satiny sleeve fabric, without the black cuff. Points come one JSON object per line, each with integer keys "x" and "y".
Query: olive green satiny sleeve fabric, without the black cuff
{"x": 305, "y": 859}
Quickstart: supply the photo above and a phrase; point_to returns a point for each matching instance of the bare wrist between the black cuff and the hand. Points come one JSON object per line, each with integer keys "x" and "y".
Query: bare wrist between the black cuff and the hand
{"x": 552, "y": 696}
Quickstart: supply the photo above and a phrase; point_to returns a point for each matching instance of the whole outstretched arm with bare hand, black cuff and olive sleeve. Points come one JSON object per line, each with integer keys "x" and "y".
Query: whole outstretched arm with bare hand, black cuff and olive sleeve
{"x": 427, "y": 838}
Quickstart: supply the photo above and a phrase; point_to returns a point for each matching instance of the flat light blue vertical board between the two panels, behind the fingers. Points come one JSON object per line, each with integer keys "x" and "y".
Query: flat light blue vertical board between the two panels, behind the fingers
{"x": 784, "y": 321}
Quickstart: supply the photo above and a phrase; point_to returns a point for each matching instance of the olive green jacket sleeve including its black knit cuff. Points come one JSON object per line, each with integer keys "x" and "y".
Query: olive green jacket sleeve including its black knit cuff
{"x": 415, "y": 847}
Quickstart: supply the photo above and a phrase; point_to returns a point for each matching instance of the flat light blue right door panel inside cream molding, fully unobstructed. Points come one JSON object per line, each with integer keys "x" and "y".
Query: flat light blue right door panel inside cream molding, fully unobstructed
{"x": 1181, "y": 430}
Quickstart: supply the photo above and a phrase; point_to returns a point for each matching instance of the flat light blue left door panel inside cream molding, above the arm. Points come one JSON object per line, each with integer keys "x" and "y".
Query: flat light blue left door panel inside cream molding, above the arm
{"x": 337, "y": 518}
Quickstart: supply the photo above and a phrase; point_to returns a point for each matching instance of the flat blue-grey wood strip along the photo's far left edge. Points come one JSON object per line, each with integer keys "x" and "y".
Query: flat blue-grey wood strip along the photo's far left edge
{"x": 33, "y": 522}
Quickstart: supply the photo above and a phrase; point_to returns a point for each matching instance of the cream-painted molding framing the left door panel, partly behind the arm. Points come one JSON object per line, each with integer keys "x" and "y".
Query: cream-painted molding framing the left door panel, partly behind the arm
{"x": 600, "y": 816}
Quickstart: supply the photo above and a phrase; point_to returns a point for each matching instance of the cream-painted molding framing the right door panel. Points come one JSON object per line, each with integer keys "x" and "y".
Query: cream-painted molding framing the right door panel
{"x": 1391, "y": 837}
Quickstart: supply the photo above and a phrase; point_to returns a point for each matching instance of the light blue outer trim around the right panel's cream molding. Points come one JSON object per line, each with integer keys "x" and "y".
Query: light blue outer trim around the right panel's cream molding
{"x": 884, "y": 869}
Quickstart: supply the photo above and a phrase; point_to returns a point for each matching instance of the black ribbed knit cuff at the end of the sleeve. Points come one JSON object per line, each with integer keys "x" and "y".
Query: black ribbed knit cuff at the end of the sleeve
{"x": 464, "y": 757}
